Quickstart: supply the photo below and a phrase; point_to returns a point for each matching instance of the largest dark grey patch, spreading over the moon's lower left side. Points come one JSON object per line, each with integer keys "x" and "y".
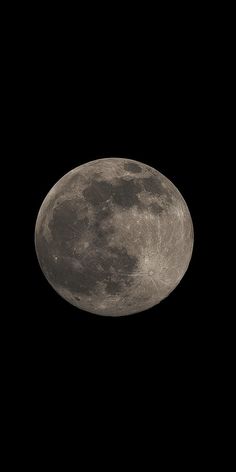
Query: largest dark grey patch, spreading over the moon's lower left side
{"x": 99, "y": 264}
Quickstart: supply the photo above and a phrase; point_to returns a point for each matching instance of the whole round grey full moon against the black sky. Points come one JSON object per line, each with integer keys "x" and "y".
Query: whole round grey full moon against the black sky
{"x": 114, "y": 237}
